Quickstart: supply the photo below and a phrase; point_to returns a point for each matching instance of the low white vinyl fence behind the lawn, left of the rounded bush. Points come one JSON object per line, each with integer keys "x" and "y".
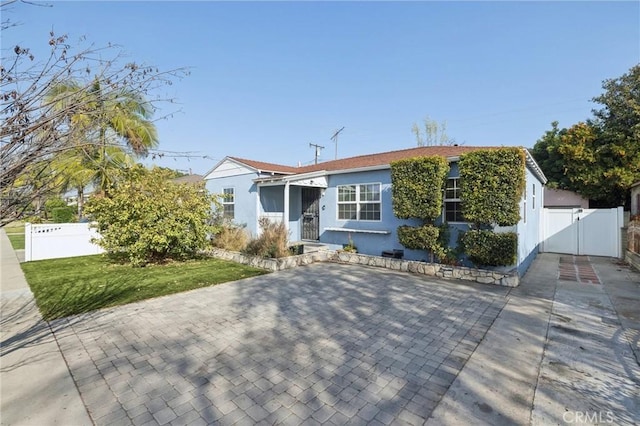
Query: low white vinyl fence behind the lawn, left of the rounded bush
{"x": 53, "y": 241}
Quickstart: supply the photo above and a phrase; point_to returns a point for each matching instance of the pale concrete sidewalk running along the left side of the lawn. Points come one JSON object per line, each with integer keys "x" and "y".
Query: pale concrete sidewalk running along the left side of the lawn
{"x": 36, "y": 387}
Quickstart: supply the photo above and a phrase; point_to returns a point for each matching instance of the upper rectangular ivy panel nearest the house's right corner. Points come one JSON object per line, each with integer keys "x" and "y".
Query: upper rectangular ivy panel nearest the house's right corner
{"x": 491, "y": 185}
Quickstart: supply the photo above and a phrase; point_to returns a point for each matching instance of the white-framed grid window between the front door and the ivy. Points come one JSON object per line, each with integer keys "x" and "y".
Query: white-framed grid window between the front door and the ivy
{"x": 359, "y": 202}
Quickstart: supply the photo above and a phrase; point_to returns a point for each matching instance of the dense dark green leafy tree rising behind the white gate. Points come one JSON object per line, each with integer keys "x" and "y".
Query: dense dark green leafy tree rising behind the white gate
{"x": 599, "y": 158}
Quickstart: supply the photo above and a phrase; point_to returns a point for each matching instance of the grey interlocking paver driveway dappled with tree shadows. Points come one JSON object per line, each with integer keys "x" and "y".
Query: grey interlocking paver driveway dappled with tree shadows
{"x": 325, "y": 343}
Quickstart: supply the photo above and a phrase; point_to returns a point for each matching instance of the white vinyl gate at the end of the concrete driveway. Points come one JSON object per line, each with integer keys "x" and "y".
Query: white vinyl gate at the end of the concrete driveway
{"x": 594, "y": 232}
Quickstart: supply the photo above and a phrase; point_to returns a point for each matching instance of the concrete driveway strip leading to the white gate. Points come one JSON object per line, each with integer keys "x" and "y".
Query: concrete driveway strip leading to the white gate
{"x": 560, "y": 352}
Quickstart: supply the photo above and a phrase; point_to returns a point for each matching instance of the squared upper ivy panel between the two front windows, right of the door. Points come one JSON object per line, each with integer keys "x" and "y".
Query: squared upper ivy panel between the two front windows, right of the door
{"x": 417, "y": 187}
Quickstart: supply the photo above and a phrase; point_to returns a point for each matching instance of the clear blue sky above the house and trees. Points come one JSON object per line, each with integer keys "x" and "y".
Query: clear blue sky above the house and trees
{"x": 269, "y": 78}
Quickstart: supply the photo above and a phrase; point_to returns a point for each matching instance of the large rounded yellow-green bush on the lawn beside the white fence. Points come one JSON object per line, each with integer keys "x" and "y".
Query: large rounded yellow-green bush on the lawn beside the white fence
{"x": 147, "y": 218}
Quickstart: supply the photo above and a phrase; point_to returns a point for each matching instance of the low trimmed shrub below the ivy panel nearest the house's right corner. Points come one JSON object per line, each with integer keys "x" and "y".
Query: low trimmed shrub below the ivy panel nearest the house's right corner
{"x": 487, "y": 248}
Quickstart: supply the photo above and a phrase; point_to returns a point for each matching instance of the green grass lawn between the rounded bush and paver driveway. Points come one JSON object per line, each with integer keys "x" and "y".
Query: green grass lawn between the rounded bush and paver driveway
{"x": 64, "y": 287}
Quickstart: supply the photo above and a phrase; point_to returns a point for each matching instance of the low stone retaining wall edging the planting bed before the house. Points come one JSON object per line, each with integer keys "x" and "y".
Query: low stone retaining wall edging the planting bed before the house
{"x": 432, "y": 269}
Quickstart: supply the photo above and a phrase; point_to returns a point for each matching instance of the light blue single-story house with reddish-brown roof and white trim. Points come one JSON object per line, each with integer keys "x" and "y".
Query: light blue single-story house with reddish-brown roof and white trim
{"x": 334, "y": 201}
